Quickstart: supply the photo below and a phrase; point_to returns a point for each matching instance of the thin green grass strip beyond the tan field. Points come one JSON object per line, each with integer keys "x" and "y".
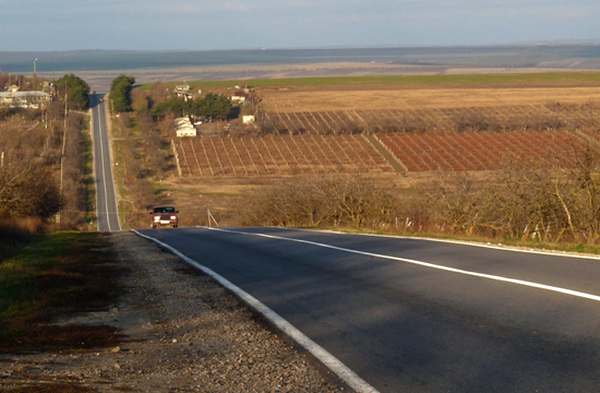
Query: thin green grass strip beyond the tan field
{"x": 538, "y": 79}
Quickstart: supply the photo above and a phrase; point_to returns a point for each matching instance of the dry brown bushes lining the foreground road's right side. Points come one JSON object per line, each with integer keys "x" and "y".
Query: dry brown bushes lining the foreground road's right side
{"x": 529, "y": 205}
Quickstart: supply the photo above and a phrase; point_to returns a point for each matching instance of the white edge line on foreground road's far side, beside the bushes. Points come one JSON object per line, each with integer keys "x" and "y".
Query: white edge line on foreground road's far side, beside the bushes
{"x": 459, "y": 242}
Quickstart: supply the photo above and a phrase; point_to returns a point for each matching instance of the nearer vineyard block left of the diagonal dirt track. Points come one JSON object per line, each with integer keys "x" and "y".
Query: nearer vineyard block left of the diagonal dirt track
{"x": 279, "y": 155}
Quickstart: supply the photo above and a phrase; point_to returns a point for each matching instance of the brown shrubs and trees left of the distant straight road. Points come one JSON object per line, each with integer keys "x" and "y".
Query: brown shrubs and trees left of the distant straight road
{"x": 32, "y": 142}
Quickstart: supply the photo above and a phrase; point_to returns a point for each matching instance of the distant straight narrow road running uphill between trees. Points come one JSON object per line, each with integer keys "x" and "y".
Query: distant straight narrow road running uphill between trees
{"x": 106, "y": 202}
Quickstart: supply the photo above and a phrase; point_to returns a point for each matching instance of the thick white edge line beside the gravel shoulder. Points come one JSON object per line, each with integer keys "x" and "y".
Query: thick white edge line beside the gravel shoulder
{"x": 331, "y": 362}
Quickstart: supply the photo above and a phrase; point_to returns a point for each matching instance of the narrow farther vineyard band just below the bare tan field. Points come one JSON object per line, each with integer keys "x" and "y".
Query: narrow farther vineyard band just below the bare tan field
{"x": 508, "y": 118}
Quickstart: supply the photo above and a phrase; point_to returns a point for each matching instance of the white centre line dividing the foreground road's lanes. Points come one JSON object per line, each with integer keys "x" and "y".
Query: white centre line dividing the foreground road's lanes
{"x": 525, "y": 283}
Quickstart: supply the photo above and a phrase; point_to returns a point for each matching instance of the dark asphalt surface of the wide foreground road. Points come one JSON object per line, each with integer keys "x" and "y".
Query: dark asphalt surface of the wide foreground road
{"x": 406, "y": 327}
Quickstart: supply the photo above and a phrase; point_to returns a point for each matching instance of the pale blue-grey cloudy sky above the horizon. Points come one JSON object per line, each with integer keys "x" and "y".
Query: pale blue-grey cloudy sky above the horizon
{"x": 243, "y": 24}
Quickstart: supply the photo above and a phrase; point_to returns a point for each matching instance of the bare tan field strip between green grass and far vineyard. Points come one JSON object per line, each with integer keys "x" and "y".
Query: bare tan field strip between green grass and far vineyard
{"x": 318, "y": 100}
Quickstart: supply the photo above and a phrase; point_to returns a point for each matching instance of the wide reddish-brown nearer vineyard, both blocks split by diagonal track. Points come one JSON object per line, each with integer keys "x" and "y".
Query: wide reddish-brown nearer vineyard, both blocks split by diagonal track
{"x": 422, "y": 152}
